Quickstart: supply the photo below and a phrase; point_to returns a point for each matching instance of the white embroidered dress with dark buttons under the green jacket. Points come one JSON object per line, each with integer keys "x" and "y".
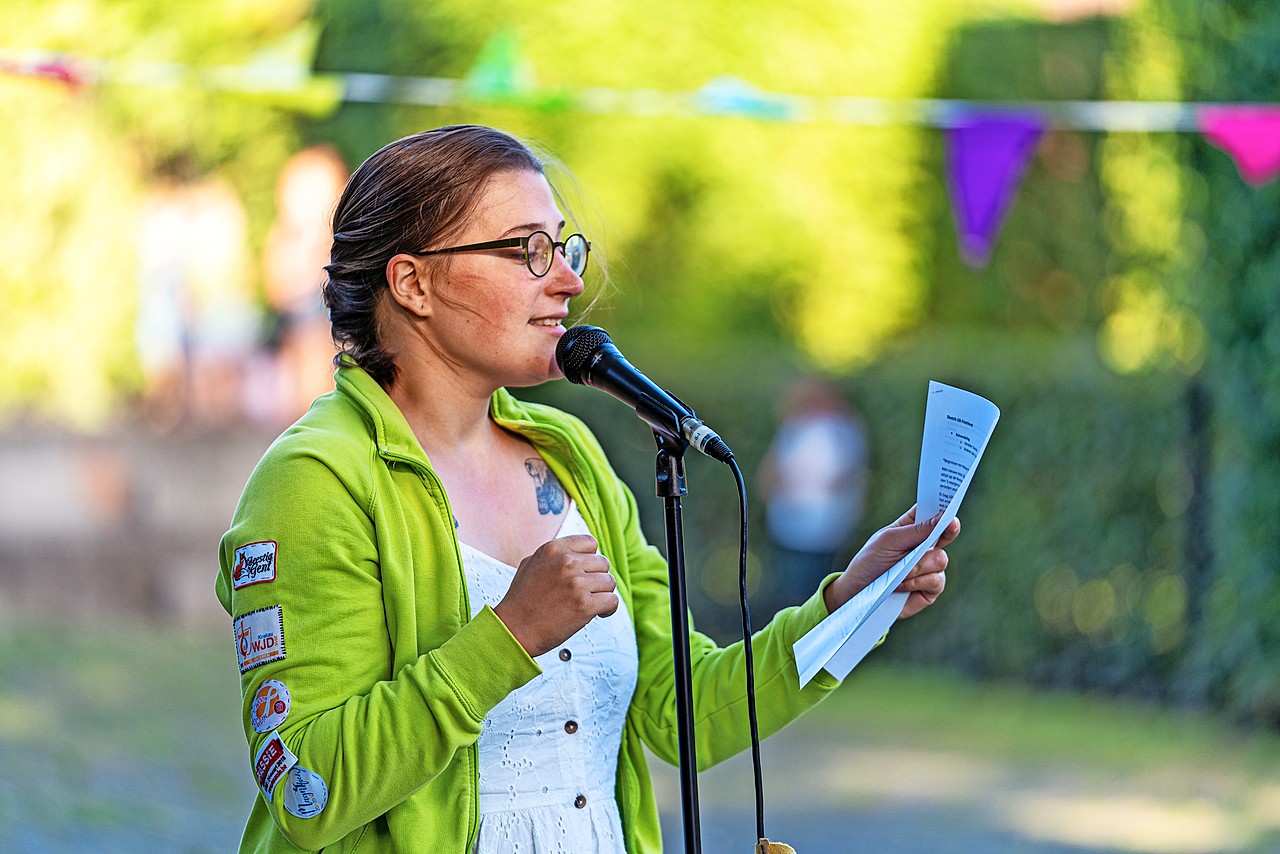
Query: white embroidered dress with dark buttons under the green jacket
{"x": 550, "y": 751}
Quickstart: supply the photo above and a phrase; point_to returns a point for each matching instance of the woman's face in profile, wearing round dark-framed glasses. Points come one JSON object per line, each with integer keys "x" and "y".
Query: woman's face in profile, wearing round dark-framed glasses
{"x": 492, "y": 317}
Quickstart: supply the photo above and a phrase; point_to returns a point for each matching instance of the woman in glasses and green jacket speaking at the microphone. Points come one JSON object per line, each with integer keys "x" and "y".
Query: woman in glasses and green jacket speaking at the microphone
{"x": 451, "y": 633}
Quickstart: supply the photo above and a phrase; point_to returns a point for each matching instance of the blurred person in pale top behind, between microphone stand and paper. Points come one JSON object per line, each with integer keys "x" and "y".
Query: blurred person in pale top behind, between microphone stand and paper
{"x": 815, "y": 485}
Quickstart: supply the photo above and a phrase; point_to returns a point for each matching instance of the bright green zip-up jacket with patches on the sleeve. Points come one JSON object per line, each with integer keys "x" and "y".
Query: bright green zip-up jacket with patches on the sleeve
{"x": 364, "y": 678}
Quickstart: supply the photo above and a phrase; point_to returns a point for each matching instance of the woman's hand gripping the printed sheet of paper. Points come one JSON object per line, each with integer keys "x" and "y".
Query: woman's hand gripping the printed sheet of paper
{"x": 888, "y": 547}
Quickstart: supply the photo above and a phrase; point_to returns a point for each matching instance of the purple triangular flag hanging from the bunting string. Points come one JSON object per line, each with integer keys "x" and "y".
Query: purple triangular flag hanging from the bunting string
{"x": 988, "y": 156}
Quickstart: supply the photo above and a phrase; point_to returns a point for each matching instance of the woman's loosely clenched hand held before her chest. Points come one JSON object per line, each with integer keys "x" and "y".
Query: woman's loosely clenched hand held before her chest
{"x": 557, "y": 591}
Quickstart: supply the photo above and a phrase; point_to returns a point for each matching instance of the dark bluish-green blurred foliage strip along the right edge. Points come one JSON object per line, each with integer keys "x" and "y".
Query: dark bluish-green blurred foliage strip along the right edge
{"x": 1232, "y": 56}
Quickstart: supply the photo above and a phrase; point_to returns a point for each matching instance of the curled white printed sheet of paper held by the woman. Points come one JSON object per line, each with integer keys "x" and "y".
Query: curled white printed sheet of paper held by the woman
{"x": 958, "y": 426}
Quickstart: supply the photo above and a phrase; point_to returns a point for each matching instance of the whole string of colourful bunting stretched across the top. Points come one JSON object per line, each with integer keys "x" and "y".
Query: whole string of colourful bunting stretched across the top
{"x": 989, "y": 144}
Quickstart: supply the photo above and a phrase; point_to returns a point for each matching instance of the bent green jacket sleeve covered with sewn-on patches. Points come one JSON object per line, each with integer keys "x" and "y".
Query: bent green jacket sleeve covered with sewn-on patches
{"x": 369, "y": 734}
